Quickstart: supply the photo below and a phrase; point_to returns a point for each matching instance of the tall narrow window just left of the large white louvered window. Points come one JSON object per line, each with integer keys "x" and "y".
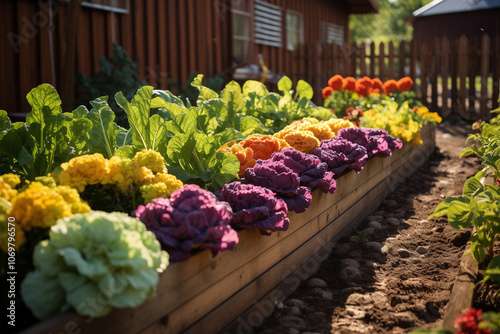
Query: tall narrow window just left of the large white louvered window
{"x": 242, "y": 19}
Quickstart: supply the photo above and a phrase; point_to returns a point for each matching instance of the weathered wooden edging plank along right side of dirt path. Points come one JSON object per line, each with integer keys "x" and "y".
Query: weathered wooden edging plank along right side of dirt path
{"x": 461, "y": 297}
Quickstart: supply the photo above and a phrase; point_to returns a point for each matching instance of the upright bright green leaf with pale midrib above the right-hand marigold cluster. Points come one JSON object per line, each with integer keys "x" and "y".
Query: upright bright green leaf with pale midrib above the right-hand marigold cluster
{"x": 138, "y": 115}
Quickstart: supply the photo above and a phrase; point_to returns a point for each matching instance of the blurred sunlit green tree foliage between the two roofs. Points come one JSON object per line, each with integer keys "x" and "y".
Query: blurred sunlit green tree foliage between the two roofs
{"x": 388, "y": 25}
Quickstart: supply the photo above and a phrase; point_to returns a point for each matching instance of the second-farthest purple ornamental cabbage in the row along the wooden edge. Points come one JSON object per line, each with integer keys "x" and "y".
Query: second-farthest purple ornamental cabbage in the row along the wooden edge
{"x": 340, "y": 154}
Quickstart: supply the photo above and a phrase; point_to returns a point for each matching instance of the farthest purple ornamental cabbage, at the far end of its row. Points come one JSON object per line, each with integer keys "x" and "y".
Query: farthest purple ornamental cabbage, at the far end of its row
{"x": 377, "y": 142}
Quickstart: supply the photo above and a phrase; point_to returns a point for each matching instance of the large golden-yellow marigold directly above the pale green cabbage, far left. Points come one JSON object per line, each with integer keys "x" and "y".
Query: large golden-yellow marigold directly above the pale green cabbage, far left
{"x": 39, "y": 206}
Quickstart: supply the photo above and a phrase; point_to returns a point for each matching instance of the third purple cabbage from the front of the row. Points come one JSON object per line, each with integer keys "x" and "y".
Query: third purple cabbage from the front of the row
{"x": 283, "y": 181}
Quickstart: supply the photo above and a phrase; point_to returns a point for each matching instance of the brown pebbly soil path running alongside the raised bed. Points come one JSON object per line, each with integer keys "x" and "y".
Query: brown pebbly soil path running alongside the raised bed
{"x": 396, "y": 272}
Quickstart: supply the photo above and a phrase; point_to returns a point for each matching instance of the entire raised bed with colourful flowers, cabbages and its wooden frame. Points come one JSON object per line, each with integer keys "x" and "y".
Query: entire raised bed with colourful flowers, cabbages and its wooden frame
{"x": 213, "y": 176}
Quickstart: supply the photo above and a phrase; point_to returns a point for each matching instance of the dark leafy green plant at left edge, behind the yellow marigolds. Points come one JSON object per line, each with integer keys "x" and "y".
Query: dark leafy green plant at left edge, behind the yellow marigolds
{"x": 47, "y": 138}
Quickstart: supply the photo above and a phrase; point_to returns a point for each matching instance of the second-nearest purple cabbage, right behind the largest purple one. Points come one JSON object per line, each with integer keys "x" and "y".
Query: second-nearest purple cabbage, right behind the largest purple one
{"x": 255, "y": 206}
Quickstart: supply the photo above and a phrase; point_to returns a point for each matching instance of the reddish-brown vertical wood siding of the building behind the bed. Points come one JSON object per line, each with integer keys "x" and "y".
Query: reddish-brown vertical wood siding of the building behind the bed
{"x": 168, "y": 39}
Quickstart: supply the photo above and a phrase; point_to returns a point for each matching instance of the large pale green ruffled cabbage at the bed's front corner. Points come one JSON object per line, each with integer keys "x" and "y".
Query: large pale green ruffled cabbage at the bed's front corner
{"x": 108, "y": 257}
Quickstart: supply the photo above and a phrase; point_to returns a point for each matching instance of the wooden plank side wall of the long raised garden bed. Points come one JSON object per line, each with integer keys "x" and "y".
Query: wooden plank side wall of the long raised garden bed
{"x": 237, "y": 289}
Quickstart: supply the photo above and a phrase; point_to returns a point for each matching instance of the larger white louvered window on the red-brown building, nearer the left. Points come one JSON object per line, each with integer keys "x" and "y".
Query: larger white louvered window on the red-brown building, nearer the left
{"x": 268, "y": 23}
